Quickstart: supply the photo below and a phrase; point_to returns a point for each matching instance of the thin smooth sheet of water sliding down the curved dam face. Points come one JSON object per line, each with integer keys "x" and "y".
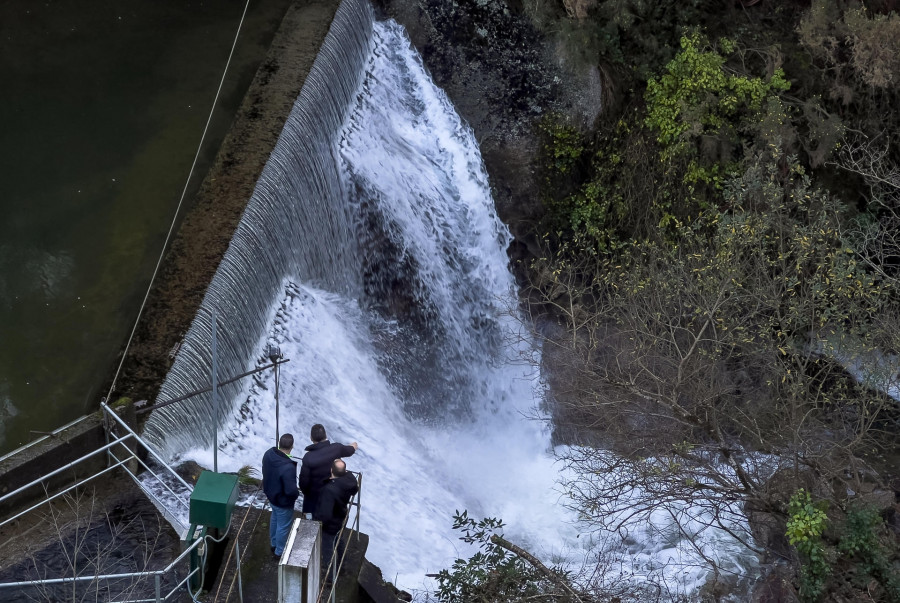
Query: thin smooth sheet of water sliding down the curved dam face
{"x": 294, "y": 224}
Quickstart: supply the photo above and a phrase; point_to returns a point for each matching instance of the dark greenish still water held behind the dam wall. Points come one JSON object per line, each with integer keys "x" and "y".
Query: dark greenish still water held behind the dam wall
{"x": 102, "y": 105}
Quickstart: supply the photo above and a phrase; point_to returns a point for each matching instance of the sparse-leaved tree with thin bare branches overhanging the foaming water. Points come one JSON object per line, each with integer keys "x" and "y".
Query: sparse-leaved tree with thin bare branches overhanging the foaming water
{"x": 711, "y": 362}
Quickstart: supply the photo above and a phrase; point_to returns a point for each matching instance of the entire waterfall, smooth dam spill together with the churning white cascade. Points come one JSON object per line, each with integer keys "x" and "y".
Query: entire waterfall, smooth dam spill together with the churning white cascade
{"x": 397, "y": 324}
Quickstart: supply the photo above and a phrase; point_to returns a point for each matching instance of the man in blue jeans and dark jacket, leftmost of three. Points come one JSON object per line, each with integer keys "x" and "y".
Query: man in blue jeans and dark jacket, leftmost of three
{"x": 280, "y": 486}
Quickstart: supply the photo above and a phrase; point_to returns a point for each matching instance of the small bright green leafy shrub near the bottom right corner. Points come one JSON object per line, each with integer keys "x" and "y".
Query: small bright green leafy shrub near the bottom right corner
{"x": 806, "y": 522}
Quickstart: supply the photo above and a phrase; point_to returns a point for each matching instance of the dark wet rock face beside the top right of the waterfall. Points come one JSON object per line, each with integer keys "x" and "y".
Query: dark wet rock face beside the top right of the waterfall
{"x": 501, "y": 77}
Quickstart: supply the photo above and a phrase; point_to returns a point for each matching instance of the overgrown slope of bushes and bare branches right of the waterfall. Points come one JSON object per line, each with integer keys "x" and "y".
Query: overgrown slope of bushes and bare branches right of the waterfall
{"x": 719, "y": 284}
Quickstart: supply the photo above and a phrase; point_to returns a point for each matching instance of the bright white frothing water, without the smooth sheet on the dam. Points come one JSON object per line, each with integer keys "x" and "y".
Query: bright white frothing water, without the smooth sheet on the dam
{"x": 406, "y": 152}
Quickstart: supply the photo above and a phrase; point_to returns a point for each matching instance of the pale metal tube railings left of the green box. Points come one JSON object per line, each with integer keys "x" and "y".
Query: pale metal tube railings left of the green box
{"x": 122, "y": 450}
